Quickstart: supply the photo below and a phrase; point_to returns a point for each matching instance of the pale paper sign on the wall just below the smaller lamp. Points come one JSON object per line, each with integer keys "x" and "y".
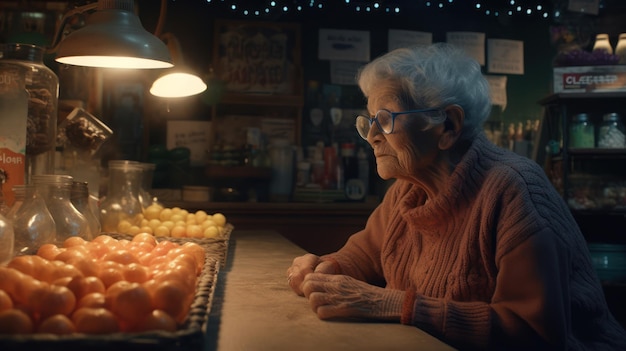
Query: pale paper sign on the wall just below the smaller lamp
{"x": 194, "y": 135}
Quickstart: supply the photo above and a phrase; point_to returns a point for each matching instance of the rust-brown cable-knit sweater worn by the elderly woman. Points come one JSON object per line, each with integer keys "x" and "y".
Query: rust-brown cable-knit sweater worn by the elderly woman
{"x": 495, "y": 260}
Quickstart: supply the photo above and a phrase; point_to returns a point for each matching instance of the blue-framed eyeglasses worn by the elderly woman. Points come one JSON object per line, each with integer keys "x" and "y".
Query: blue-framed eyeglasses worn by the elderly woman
{"x": 385, "y": 120}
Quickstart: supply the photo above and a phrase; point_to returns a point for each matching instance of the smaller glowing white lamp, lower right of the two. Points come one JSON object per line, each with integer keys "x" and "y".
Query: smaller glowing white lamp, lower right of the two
{"x": 177, "y": 84}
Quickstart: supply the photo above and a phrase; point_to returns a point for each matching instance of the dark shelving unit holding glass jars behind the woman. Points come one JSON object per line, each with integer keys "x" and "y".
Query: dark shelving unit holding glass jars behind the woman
{"x": 590, "y": 174}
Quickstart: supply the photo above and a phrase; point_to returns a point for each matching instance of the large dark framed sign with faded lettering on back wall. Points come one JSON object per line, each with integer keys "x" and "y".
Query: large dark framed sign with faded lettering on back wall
{"x": 257, "y": 57}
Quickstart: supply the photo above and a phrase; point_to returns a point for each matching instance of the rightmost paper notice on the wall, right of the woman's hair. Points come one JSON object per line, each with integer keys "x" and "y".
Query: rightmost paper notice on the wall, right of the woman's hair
{"x": 505, "y": 56}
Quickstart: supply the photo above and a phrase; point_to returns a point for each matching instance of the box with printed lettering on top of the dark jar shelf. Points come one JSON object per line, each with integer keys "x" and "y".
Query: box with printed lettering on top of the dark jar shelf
{"x": 588, "y": 79}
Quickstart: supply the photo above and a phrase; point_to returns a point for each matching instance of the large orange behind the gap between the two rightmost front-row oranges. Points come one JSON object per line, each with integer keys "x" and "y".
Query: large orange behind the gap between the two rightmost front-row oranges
{"x": 130, "y": 302}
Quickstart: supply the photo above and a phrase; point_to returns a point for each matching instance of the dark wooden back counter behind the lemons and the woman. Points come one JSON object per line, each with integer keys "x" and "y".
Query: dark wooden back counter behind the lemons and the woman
{"x": 316, "y": 227}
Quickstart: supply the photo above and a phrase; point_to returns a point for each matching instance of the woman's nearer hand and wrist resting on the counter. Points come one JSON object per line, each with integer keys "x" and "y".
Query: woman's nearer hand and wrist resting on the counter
{"x": 341, "y": 296}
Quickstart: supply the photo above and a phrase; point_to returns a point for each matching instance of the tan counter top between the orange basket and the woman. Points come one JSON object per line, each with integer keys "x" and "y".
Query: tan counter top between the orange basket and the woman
{"x": 254, "y": 308}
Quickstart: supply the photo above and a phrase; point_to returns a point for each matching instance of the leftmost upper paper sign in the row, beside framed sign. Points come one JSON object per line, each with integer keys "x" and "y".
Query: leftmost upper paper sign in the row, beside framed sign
{"x": 344, "y": 45}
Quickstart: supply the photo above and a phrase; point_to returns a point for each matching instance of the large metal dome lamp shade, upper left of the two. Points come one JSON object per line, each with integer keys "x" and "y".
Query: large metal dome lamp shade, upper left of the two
{"x": 113, "y": 37}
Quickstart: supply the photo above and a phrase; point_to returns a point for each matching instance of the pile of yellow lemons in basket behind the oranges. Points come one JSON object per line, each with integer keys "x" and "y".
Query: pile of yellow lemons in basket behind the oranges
{"x": 174, "y": 222}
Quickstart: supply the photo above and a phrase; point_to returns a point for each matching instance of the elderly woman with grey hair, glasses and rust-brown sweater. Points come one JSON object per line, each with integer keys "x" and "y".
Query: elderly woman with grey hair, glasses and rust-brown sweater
{"x": 471, "y": 243}
